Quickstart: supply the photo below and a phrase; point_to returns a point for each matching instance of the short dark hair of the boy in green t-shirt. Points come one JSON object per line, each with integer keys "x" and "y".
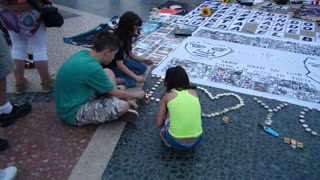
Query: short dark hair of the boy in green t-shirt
{"x": 106, "y": 39}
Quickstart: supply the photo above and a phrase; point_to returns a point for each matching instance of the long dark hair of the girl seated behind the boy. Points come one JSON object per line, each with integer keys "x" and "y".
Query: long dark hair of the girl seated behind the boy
{"x": 125, "y": 28}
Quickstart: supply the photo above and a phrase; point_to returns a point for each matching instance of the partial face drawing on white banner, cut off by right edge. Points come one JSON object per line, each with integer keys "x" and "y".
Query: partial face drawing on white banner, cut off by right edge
{"x": 313, "y": 67}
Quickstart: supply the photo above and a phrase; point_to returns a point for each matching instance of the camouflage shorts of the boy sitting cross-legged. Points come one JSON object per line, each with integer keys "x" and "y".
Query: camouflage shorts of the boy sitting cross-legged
{"x": 96, "y": 111}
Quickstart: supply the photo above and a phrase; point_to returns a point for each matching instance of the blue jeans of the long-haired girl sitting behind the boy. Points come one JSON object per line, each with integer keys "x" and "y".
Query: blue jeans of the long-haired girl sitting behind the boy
{"x": 136, "y": 67}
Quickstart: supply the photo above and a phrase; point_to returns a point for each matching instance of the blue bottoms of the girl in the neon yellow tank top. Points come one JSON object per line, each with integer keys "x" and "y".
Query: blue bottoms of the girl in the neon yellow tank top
{"x": 178, "y": 144}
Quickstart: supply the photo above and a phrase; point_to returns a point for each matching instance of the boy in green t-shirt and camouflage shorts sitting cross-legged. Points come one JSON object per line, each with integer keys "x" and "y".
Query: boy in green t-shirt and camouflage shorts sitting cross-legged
{"x": 85, "y": 93}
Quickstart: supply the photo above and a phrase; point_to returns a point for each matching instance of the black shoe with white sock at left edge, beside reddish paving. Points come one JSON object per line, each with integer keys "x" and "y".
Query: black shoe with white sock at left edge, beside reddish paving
{"x": 17, "y": 111}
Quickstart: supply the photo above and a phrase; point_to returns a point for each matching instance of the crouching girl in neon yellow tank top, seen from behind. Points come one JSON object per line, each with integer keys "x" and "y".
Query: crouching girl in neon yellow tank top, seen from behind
{"x": 181, "y": 105}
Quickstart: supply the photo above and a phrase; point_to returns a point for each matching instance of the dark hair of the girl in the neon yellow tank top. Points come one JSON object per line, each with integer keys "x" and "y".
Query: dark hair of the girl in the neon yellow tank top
{"x": 177, "y": 78}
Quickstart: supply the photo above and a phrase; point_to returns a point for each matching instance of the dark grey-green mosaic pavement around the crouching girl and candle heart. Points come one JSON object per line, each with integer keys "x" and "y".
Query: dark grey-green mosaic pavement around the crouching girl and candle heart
{"x": 236, "y": 150}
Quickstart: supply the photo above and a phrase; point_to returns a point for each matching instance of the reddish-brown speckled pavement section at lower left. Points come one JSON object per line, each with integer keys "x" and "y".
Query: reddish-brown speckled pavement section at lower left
{"x": 41, "y": 146}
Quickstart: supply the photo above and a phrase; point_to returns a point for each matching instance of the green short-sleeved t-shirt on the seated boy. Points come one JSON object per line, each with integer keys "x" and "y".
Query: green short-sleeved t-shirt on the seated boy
{"x": 79, "y": 77}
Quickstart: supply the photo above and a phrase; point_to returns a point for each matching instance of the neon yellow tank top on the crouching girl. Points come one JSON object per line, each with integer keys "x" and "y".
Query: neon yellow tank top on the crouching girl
{"x": 185, "y": 115}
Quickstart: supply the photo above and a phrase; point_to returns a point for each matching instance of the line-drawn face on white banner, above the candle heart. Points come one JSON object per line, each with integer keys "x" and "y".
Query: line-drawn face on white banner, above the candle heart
{"x": 204, "y": 50}
